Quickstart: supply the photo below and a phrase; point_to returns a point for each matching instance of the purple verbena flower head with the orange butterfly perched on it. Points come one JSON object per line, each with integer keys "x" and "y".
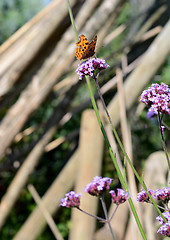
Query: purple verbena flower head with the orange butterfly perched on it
{"x": 87, "y": 67}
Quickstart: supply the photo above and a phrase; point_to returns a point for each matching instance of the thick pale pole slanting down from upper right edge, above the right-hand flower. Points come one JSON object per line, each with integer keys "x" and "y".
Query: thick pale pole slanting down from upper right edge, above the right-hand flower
{"x": 143, "y": 73}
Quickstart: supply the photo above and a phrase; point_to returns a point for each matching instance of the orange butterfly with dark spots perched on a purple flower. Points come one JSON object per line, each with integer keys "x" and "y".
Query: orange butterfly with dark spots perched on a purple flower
{"x": 85, "y": 49}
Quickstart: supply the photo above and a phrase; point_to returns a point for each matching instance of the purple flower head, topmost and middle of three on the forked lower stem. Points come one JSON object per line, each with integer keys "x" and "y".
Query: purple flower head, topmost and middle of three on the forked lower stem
{"x": 98, "y": 186}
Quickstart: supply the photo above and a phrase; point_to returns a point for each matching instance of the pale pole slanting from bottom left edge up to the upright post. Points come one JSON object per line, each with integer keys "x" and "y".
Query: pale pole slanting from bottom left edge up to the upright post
{"x": 61, "y": 185}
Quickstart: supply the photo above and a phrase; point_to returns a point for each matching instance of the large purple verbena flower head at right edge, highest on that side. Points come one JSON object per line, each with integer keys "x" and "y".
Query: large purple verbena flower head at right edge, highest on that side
{"x": 157, "y": 97}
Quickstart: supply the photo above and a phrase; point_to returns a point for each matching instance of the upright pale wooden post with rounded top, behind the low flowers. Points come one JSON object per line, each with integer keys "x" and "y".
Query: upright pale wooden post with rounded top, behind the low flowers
{"x": 91, "y": 154}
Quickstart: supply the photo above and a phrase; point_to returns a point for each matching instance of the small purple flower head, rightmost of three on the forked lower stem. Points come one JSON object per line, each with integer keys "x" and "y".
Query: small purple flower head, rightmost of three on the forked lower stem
{"x": 120, "y": 197}
